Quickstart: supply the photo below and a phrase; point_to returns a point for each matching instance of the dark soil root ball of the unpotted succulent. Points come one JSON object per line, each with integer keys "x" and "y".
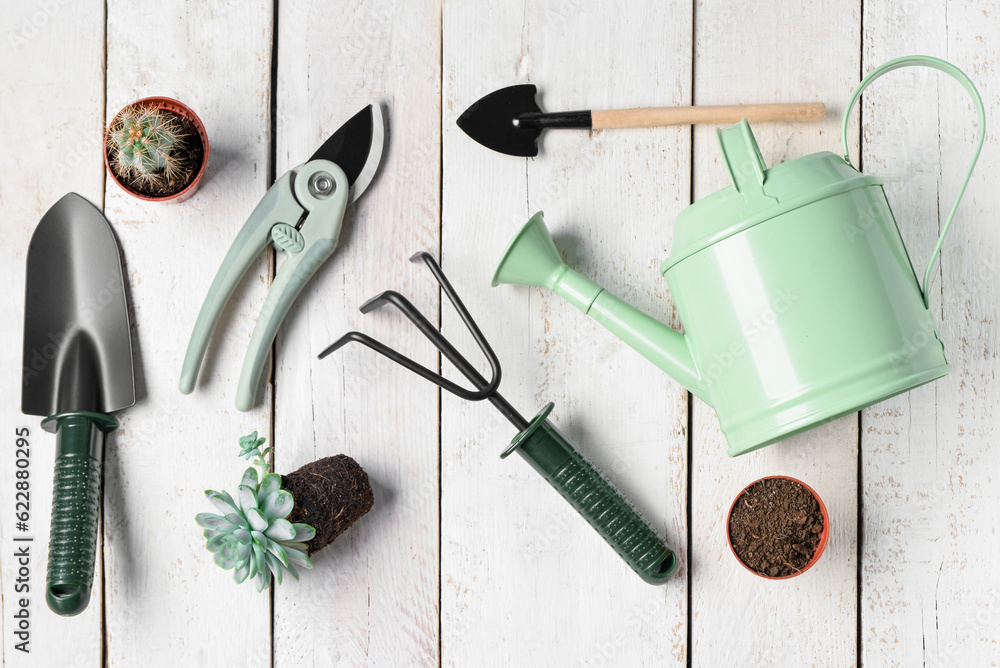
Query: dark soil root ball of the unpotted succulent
{"x": 330, "y": 494}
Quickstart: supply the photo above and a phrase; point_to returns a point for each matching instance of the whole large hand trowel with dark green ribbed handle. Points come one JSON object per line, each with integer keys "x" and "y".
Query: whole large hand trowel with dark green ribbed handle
{"x": 77, "y": 370}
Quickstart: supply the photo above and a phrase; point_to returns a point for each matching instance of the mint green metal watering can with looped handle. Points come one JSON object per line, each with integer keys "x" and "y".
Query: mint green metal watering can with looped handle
{"x": 798, "y": 298}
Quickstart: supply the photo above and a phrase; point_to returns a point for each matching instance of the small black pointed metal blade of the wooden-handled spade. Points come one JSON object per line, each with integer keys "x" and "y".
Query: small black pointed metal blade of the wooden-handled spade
{"x": 510, "y": 121}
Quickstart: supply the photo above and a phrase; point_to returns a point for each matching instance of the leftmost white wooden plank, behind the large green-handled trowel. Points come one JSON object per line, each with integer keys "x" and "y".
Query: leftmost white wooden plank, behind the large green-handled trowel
{"x": 51, "y": 117}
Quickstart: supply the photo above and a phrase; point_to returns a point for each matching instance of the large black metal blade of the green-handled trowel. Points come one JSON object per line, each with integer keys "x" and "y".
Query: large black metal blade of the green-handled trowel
{"x": 77, "y": 340}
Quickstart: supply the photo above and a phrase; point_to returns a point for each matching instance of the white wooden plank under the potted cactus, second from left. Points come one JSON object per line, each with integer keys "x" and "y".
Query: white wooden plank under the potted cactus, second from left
{"x": 165, "y": 597}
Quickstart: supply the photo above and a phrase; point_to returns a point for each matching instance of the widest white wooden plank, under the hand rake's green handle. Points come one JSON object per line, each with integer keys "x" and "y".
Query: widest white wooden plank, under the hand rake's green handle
{"x": 525, "y": 581}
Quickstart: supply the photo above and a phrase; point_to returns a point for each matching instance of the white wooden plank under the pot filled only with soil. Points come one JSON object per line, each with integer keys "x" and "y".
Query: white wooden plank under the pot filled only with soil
{"x": 802, "y": 51}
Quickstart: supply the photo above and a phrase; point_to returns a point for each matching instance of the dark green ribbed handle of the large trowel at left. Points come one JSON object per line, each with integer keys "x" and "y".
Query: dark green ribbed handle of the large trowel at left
{"x": 76, "y": 498}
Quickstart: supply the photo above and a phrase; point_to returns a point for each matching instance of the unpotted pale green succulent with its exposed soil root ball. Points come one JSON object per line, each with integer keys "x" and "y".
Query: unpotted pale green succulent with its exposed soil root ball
{"x": 274, "y": 523}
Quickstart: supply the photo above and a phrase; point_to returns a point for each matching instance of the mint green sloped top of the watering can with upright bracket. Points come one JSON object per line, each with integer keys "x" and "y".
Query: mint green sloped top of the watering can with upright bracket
{"x": 757, "y": 193}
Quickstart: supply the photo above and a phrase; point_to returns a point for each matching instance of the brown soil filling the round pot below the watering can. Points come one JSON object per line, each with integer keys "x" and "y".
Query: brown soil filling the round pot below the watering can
{"x": 775, "y": 527}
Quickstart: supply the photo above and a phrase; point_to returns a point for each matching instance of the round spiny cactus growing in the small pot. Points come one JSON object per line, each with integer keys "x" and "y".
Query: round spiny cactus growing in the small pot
{"x": 146, "y": 145}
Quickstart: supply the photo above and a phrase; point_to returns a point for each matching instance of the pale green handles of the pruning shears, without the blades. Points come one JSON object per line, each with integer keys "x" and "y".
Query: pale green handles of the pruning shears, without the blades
{"x": 318, "y": 190}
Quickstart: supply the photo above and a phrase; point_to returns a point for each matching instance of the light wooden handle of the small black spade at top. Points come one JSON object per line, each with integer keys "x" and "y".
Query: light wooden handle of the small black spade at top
{"x": 754, "y": 113}
